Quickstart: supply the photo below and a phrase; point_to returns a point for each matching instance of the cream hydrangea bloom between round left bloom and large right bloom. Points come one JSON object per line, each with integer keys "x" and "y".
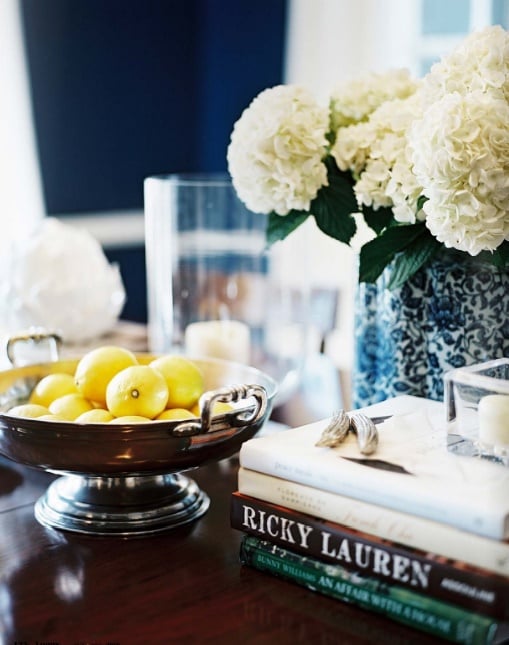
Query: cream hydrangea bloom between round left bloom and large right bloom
{"x": 375, "y": 151}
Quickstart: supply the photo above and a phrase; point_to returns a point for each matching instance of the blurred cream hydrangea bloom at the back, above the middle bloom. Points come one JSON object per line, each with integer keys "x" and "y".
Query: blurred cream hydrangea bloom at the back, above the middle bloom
{"x": 353, "y": 101}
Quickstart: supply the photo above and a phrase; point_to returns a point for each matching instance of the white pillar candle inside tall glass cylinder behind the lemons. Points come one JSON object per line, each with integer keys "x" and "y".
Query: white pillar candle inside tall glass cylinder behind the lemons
{"x": 226, "y": 339}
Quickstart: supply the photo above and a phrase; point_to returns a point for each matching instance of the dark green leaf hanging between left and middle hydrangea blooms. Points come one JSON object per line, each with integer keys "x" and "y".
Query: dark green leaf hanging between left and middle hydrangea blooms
{"x": 334, "y": 205}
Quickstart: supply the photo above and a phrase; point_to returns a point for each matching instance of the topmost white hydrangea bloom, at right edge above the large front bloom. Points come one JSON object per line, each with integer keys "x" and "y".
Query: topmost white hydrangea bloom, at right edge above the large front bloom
{"x": 480, "y": 62}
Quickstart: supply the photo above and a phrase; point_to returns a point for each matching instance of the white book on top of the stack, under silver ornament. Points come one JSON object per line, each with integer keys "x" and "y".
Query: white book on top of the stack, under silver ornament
{"x": 411, "y": 471}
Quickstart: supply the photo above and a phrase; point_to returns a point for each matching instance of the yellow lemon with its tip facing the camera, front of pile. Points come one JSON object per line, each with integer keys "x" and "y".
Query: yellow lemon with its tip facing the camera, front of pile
{"x": 137, "y": 390}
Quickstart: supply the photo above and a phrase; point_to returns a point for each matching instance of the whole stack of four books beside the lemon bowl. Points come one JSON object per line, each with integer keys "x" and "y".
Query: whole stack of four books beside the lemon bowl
{"x": 412, "y": 532}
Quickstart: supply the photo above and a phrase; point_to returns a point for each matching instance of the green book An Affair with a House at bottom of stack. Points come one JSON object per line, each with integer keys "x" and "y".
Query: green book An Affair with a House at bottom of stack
{"x": 402, "y": 605}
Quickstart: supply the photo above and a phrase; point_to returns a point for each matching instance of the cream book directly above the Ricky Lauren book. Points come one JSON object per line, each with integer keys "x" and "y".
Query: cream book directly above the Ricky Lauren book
{"x": 402, "y": 528}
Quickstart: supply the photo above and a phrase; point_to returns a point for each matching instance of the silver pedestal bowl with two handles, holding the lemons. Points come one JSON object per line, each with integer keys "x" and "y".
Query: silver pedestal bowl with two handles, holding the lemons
{"x": 126, "y": 480}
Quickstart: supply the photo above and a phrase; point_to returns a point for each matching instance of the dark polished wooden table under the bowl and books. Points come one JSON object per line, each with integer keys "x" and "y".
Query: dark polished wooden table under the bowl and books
{"x": 186, "y": 586}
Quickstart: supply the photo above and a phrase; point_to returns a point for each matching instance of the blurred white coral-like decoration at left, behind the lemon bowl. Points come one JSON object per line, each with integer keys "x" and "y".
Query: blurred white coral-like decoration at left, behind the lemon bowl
{"x": 58, "y": 278}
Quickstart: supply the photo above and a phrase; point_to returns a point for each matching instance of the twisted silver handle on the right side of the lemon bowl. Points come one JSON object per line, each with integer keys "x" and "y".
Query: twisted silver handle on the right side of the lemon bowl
{"x": 227, "y": 394}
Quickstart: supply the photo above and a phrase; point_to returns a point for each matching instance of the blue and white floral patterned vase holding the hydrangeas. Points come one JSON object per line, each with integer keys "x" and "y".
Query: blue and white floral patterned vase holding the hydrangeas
{"x": 451, "y": 313}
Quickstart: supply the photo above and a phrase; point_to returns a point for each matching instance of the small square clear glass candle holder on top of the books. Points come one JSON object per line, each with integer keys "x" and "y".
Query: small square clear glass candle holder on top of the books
{"x": 477, "y": 407}
